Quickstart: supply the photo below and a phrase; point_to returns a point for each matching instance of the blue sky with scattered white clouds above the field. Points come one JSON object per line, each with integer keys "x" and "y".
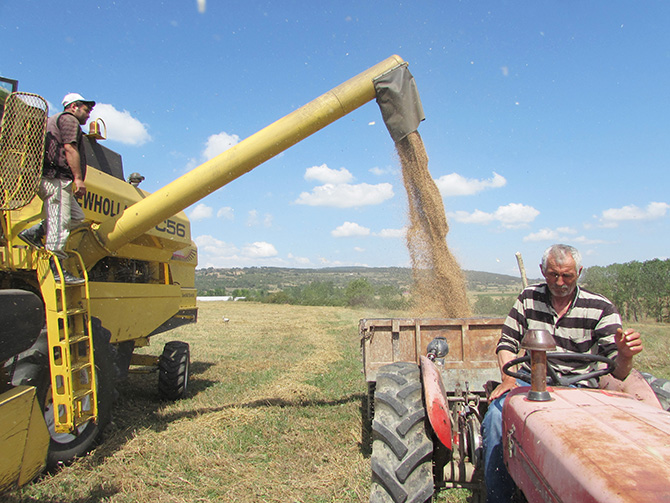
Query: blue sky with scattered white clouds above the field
{"x": 545, "y": 121}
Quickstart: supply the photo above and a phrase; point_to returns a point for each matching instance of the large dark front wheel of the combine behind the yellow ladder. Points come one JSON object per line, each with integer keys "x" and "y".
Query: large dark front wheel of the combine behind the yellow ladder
{"x": 64, "y": 447}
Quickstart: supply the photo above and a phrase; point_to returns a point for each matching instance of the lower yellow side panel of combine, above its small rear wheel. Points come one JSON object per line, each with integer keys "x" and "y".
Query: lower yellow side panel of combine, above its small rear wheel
{"x": 130, "y": 311}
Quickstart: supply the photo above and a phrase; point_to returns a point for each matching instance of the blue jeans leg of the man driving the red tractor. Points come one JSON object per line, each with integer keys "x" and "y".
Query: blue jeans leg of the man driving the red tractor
{"x": 499, "y": 484}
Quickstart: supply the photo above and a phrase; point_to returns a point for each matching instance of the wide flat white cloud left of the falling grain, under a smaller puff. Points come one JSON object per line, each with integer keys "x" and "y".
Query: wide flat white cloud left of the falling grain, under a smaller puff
{"x": 346, "y": 195}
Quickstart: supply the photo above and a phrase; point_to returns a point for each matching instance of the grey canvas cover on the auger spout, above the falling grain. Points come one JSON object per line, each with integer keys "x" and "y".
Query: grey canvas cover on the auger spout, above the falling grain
{"x": 399, "y": 102}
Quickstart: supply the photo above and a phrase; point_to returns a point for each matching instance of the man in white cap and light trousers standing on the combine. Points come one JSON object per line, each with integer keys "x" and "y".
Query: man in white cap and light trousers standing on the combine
{"x": 62, "y": 180}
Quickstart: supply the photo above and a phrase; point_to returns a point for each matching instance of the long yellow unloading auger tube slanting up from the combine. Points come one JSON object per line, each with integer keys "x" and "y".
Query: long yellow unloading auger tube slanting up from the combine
{"x": 210, "y": 176}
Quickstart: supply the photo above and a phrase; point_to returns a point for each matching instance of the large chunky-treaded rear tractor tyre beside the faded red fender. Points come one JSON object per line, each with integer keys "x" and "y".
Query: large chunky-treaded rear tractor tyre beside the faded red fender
{"x": 402, "y": 451}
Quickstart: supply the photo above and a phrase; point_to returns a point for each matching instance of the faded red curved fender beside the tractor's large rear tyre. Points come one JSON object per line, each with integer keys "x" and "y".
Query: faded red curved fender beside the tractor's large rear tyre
{"x": 437, "y": 405}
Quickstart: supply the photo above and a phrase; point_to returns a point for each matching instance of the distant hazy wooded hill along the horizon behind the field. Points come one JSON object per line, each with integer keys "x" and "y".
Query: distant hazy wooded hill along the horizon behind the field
{"x": 279, "y": 278}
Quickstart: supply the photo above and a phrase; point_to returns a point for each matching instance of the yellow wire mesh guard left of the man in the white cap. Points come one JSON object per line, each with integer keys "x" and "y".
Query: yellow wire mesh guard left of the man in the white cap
{"x": 21, "y": 149}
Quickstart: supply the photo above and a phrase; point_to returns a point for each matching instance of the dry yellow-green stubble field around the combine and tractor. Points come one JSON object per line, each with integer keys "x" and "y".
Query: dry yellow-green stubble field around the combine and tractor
{"x": 274, "y": 415}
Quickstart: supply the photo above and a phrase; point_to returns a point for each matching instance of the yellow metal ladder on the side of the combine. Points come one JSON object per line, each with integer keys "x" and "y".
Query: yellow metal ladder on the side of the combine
{"x": 70, "y": 336}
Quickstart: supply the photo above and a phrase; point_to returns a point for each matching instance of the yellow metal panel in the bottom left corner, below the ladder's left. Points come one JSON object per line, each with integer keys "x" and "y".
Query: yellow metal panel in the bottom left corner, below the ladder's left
{"x": 22, "y": 429}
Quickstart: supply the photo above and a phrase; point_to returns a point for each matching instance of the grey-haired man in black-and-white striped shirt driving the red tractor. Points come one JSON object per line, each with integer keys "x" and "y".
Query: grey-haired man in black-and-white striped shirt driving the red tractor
{"x": 580, "y": 321}
